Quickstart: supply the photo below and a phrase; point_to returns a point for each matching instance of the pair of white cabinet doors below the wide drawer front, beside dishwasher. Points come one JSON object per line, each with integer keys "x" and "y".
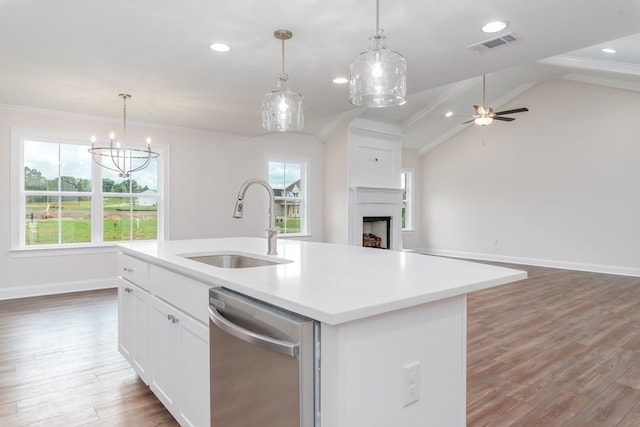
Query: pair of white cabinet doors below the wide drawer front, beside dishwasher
{"x": 180, "y": 363}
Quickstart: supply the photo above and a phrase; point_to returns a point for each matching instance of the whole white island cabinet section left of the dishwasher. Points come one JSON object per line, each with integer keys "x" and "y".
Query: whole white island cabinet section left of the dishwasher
{"x": 163, "y": 333}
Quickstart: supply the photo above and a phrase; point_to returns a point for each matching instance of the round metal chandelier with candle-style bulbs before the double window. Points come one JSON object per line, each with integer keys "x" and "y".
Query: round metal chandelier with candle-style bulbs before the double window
{"x": 116, "y": 156}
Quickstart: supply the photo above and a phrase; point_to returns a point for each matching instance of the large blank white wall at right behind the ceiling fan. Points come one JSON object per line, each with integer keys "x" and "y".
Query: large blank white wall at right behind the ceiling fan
{"x": 559, "y": 186}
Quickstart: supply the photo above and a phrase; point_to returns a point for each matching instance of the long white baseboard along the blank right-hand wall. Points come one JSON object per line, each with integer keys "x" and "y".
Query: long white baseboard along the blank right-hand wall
{"x": 595, "y": 268}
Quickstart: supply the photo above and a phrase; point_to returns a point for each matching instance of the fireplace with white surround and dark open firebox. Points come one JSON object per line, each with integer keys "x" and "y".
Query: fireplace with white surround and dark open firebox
{"x": 376, "y": 217}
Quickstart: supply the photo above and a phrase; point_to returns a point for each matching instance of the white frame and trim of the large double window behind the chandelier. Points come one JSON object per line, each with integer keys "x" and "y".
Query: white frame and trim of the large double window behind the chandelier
{"x": 18, "y": 195}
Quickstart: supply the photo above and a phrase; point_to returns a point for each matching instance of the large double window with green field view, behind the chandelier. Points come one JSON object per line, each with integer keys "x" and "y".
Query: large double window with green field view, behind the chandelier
{"x": 64, "y": 199}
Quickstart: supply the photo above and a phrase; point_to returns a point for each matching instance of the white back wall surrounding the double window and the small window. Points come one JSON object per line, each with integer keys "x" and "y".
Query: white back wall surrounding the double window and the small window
{"x": 206, "y": 170}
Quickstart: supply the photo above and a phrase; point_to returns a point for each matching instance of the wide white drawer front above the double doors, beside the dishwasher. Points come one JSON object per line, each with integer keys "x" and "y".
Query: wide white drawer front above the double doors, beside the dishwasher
{"x": 184, "y": 293}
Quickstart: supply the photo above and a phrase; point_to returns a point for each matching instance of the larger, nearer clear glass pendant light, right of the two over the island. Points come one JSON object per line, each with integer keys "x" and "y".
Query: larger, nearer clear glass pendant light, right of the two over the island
{"x": 378, "y": 76}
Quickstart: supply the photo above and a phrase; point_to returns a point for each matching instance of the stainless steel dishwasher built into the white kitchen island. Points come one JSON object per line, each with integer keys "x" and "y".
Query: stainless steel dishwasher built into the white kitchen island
{"x": 264, "y": 364}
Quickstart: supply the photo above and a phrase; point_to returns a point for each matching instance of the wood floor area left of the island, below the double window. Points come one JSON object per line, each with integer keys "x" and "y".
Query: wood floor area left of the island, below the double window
{"x": 60, "y": 366}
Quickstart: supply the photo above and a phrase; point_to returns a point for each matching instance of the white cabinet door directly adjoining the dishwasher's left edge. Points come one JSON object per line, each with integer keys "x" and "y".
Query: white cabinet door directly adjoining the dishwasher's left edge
{"x": 194, "y": 373}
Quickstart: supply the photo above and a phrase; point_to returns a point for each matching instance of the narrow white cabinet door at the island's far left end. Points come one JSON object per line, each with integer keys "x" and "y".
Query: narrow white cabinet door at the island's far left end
{"x": 133, "y": 327}
